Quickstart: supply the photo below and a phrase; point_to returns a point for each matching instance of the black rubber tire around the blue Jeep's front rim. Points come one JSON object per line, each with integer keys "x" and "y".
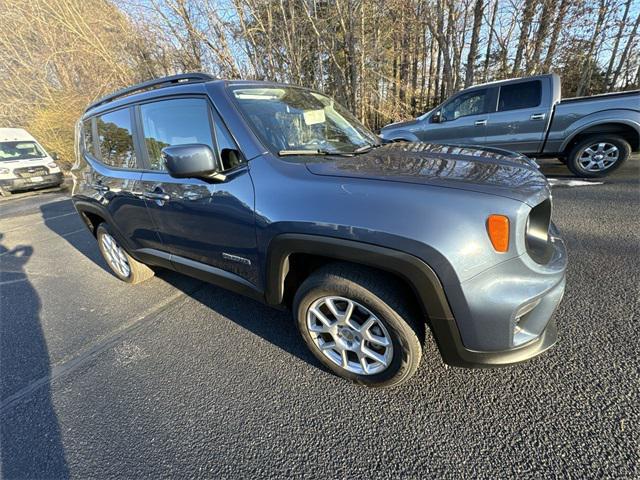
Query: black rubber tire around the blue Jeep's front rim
{"x": 382, "y": 296}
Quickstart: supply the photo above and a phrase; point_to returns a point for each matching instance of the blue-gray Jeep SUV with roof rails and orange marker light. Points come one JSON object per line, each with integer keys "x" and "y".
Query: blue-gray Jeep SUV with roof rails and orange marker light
{"x": 280, "y": 194}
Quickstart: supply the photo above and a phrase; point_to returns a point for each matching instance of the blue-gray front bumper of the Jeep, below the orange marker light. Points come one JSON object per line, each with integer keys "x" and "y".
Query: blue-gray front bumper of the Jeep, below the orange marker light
{"x": 505, "y": 314}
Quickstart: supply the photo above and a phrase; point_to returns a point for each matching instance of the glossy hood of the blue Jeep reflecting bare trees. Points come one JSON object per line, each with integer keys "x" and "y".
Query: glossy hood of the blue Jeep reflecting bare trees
{"x": 485, "y": 170}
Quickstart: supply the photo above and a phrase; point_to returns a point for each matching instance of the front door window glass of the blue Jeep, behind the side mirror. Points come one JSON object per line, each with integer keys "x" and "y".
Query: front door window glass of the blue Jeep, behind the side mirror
{"x": 174, "y": 122}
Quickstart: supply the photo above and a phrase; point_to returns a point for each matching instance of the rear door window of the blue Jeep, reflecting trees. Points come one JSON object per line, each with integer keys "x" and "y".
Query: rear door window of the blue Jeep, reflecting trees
{"x": 115, "y": 139}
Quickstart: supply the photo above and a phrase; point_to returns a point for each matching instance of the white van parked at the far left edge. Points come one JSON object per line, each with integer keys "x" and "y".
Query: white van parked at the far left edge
{"x": 24, "y": 164}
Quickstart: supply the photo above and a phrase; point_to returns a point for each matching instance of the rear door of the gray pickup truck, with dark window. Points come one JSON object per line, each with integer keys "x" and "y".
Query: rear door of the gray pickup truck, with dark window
{"x": 521, "y": 118}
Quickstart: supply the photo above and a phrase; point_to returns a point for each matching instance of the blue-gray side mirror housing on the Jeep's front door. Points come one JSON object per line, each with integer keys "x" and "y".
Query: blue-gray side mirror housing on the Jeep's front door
{"x": 190, "y": 161}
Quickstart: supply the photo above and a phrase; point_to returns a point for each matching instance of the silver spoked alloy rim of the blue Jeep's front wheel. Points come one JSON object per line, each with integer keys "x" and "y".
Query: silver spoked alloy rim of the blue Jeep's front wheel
{"x": 350, "y": 335}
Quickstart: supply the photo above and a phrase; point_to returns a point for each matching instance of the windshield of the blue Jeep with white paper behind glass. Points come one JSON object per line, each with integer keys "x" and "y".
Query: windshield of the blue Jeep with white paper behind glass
{"x": 294, "y": 119}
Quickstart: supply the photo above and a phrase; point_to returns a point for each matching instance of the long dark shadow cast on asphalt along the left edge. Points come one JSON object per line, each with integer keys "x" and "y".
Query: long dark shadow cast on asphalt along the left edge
{"x": 29, "y": 429}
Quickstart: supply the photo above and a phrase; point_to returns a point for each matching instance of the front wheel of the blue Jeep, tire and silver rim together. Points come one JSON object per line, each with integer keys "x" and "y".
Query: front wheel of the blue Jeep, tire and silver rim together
{"x": 358, "y": 324}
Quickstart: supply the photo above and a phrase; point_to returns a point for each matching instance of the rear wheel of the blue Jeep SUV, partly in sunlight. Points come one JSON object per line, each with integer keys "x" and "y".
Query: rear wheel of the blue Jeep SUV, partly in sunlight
{"x": 123, "y": 265}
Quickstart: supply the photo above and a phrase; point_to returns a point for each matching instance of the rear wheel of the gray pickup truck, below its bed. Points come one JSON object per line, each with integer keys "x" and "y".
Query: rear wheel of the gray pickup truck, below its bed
{"x": 598, "y": 156}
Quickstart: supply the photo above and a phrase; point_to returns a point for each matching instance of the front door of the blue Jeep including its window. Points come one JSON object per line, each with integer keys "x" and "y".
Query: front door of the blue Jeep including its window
{"x": 208, "y": 222}
